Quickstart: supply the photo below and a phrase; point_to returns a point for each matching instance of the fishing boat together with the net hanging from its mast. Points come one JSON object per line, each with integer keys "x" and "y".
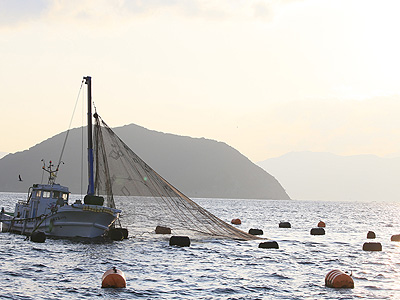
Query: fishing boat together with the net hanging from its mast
{"x": 113, "y": 169}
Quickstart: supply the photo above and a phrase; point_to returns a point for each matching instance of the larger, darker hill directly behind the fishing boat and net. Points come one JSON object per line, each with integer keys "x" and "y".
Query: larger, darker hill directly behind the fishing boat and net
{"x": 197, "y": 166}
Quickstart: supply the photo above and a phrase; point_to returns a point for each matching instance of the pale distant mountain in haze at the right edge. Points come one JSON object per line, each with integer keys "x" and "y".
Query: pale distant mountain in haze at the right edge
{"x": 326, "y": 176}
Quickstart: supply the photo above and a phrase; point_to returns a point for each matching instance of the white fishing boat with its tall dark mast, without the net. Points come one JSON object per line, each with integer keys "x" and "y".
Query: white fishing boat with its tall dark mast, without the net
{"x": 47, "y": 208}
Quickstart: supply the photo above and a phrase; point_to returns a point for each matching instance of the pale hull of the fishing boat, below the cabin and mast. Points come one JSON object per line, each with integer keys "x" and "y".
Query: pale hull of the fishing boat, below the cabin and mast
{"x": 87, "y": 221}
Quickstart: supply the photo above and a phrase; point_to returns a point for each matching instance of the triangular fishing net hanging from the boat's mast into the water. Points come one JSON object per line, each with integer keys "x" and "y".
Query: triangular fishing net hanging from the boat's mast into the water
{"x": 119, "y": 171}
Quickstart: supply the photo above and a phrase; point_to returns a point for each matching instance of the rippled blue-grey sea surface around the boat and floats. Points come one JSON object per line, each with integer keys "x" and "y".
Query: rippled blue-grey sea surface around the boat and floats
{"x": 217, "y": 269}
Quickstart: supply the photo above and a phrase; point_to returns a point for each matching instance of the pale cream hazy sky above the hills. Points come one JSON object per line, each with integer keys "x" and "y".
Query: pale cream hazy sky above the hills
{"x": 266, "y": 77}
